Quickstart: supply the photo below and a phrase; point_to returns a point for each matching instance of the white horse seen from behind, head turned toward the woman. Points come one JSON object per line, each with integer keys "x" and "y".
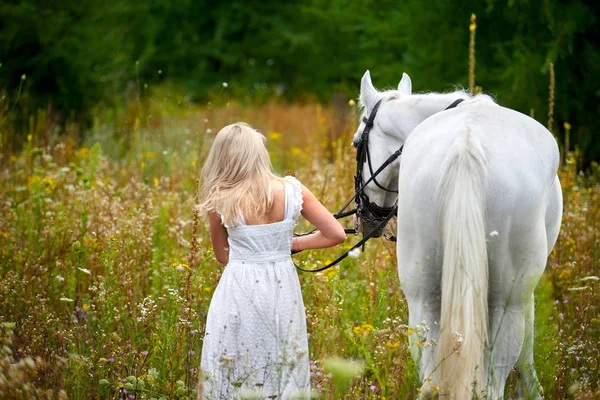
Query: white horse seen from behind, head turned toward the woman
{"x": 479, "y": 210}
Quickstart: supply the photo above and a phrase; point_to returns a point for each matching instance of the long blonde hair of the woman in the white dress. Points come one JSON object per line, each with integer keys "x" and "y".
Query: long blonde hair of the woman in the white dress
{"x": 237, "y": 175}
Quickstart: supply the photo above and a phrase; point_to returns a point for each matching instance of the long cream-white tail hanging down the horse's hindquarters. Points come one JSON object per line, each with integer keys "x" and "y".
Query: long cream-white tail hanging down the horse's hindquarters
{"x": 464, "y": 308}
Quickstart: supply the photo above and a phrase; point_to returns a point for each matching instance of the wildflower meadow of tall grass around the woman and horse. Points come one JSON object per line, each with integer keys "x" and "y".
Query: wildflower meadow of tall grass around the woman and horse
{"x": 102, "y": 298}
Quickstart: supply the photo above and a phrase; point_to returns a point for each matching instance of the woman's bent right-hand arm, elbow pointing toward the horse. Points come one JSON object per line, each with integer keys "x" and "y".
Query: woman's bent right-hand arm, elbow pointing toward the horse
{"x": 330, "y": 231}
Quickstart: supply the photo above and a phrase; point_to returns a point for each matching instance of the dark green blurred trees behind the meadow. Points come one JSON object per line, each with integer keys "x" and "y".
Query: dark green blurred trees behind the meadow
{"x": 78, "y": 55}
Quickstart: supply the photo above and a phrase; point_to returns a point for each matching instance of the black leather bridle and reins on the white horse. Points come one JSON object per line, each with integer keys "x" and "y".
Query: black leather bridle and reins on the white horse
{"x": 365, "y": 209}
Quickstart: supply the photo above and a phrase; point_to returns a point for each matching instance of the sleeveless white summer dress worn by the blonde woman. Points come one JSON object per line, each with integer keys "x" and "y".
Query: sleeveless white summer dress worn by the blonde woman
{"x": 255, "y": 343}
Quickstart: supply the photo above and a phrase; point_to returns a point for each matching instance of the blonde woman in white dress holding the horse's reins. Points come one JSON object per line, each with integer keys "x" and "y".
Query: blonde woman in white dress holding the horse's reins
{"x": 255, "y": 340}
